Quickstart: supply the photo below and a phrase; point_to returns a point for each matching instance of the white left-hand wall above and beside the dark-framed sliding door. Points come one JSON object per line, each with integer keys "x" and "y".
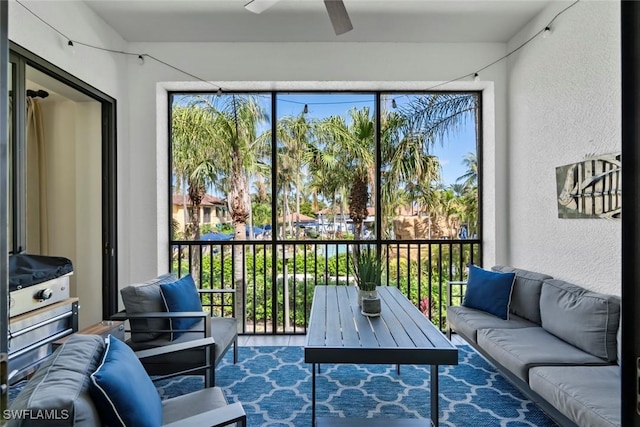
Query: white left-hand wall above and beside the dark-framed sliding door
{"x": 103, "y": 70}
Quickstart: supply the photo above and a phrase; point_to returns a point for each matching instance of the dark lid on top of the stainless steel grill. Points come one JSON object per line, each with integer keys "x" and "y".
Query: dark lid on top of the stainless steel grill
{"x": 28, "y": 270}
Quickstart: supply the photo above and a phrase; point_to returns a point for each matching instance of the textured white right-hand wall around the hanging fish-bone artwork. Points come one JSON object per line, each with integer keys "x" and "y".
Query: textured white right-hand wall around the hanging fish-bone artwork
{"x": 564, "y": 102}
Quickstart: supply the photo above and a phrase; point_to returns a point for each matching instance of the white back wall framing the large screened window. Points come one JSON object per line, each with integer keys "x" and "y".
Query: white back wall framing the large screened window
{"x": 300, "y": 66}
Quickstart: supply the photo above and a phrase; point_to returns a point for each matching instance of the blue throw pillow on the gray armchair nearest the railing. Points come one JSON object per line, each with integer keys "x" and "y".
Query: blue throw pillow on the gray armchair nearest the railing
{"x": 181, "y": 295}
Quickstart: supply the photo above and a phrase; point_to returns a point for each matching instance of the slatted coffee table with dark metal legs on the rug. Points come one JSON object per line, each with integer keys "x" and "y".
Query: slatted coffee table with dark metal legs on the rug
{"x": 339, "y": 333}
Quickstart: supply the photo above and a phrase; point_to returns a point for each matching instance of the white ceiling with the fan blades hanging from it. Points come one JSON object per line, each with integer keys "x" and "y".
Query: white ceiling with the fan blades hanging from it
{"x": 307, "y": 20}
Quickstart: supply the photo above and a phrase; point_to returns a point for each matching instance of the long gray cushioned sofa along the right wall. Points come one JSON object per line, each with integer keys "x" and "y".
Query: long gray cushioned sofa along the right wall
{"x": 560, "y": 345}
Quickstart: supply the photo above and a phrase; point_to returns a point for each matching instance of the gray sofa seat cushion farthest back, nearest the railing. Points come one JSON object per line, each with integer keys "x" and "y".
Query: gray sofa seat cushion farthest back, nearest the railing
{"x": 467, "y": 321}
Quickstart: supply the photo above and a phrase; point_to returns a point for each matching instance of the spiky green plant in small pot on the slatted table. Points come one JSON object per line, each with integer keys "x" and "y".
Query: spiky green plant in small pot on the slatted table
{"x": 368, "y": 271}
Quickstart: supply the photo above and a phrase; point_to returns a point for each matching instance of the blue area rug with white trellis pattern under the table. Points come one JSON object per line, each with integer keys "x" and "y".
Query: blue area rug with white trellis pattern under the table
{"x": 274, "y": 386}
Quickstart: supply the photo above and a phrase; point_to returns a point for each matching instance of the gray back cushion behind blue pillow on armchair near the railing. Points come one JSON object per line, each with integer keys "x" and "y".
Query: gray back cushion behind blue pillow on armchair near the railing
{"x": 146, "y": 298}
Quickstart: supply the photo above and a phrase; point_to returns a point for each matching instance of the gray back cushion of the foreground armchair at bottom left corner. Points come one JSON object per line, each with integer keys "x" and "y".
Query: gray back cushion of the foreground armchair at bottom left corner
{"x": 61, "y": 385}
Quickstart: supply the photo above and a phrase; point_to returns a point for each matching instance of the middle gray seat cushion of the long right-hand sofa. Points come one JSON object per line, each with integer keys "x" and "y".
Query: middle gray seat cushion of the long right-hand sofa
{"x": 518, "y": 350}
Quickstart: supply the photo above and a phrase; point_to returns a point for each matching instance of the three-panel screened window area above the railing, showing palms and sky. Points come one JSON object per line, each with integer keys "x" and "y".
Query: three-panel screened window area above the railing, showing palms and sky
{"x": 329, "y": 166}
